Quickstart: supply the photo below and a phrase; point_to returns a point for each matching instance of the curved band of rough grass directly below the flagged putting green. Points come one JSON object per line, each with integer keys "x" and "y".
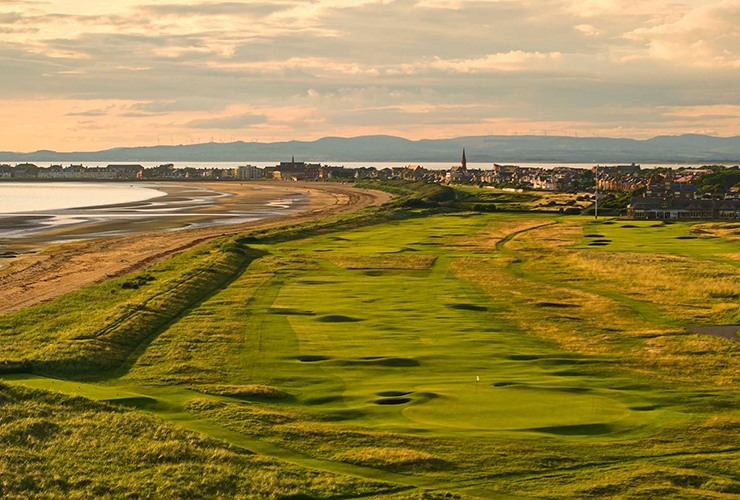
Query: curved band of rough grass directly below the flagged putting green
{"x": 538, "y": 469}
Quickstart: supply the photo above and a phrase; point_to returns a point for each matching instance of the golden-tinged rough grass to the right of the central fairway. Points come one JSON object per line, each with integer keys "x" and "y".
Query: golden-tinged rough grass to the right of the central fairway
{"x": 636, "y": 302}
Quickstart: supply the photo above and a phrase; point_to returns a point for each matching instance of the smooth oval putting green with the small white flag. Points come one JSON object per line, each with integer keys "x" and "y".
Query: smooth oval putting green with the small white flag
{"x": 515, "y": 408}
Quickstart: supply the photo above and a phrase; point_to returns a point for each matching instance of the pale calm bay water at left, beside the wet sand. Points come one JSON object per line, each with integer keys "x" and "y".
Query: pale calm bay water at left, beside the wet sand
{"x": 24, "y": 197}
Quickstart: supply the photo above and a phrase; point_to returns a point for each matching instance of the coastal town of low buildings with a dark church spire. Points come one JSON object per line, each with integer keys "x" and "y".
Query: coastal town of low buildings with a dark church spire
{"x": 629, "y": 190}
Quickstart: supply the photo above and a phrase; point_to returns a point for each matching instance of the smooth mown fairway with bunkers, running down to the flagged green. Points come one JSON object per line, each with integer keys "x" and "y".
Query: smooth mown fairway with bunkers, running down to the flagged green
{"x": 402, "y": 347}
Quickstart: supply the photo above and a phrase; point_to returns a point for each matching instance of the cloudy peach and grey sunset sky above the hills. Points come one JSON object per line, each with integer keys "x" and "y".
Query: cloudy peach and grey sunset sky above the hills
{"x": 80, "y": 75}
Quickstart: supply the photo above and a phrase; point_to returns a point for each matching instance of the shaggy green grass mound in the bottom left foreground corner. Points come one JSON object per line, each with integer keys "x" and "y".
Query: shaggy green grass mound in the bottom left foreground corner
{"x": 58, "y": 447}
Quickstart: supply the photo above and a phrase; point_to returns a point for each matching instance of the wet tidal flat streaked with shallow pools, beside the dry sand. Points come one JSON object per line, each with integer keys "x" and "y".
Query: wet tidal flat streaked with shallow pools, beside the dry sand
{"x": 178, "y": 207}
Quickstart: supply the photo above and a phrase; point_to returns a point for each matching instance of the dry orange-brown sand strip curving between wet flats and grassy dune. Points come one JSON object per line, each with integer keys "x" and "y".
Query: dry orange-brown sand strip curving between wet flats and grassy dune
{"x": 61, "y": 269}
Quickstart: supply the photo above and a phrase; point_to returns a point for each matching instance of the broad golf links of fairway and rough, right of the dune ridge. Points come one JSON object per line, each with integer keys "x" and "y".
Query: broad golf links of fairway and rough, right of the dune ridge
{"x": 607, "y": 397}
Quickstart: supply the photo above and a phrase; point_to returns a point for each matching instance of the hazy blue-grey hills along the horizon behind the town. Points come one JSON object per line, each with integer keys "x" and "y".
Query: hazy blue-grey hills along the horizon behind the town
{"x": 492, "y": 148}
